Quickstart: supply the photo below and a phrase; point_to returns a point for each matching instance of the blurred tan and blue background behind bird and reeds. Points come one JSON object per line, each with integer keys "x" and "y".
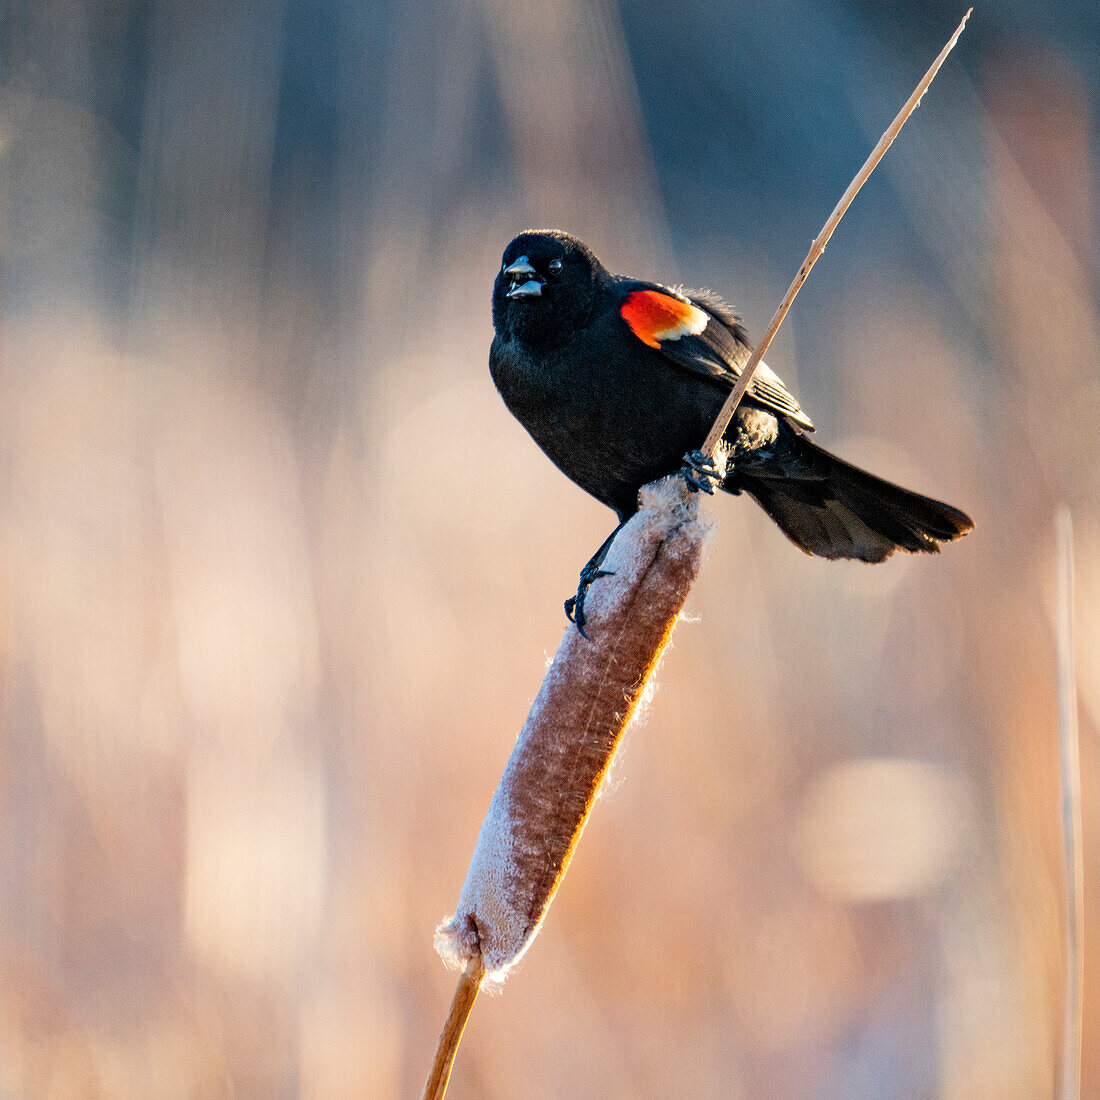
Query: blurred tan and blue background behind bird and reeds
{"x": 281, "y": 575}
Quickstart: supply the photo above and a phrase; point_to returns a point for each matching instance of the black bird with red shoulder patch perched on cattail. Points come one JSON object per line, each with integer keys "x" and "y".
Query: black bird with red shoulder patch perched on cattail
{"x": 617, "y": 379}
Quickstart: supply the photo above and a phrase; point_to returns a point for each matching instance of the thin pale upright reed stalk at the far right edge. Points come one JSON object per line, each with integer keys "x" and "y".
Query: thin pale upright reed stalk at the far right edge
{"x": 1071, "y": 778}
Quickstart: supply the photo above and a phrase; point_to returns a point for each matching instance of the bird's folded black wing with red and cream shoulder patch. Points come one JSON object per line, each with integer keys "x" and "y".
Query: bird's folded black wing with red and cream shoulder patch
{"x": 699, "y": 333}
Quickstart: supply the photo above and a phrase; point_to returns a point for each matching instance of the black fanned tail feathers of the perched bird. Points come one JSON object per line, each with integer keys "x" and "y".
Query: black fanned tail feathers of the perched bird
{"x": 831, "y": 509}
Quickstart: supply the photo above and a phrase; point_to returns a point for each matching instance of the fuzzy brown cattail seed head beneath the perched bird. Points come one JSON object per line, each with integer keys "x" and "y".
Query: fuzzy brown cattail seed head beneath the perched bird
{"x": 591, "y": 694}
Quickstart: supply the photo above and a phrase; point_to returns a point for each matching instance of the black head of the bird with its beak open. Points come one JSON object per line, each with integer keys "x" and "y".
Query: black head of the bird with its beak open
{"x": 546, "y": 288}
